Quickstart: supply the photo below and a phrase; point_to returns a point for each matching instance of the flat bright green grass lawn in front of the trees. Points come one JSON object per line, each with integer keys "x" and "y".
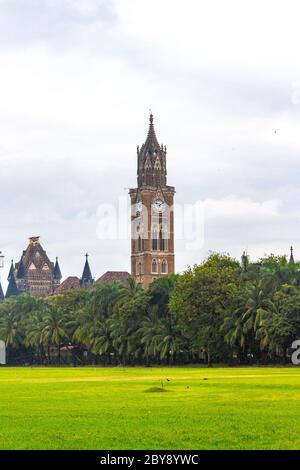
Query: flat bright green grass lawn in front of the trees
{"x": 98, "y": 408}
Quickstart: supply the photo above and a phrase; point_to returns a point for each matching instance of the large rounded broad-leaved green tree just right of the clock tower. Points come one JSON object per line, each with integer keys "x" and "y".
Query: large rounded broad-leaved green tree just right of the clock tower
{"x": 200, "y": 301}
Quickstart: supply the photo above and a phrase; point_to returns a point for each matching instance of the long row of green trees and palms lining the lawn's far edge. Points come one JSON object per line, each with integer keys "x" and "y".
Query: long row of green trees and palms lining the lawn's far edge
{"x": 221, "y": 311}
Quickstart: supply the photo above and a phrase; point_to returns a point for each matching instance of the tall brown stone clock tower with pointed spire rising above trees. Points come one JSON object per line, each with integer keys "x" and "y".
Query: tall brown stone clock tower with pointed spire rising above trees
{"x": 152, "y": 216}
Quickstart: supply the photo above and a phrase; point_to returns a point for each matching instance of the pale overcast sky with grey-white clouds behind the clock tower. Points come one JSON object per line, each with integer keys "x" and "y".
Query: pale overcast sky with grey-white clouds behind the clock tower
{"x": 77, "y": 80}
